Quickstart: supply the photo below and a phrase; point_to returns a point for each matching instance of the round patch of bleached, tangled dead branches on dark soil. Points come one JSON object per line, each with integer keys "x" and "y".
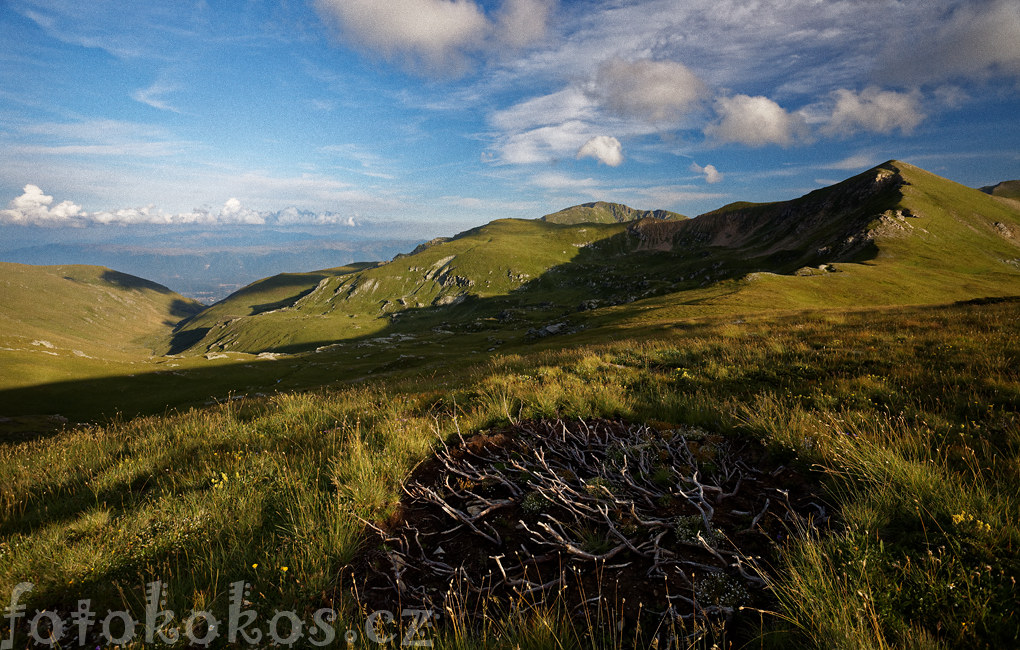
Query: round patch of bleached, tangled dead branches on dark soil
{"x": 646, "y": 519}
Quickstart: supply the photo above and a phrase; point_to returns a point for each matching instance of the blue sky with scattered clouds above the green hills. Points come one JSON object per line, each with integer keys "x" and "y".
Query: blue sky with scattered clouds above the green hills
{"x": 430, "y": 113}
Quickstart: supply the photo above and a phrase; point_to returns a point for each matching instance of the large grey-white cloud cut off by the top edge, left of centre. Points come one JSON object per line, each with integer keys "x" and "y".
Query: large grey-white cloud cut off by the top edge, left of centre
{"x": 435, "y": 36}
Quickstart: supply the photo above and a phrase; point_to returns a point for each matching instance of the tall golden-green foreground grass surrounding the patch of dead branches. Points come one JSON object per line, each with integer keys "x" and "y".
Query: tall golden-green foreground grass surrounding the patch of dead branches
{"x": 910, "y": 414}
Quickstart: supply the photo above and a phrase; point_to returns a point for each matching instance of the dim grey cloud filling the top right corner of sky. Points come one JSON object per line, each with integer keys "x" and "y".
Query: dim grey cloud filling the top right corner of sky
{"x": 980, "y": 39}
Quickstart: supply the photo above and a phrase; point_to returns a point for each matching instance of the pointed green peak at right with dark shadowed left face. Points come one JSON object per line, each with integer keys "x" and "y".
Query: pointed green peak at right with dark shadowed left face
{"x": 893, "y": 235}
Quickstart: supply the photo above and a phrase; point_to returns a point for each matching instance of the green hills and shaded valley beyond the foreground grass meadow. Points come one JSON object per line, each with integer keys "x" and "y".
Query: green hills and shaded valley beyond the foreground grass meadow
{"x": 895, "y": 235}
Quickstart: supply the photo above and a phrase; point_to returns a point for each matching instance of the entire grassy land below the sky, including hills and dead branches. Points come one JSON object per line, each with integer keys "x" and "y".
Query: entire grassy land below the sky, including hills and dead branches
{"x": 775, "y": 425}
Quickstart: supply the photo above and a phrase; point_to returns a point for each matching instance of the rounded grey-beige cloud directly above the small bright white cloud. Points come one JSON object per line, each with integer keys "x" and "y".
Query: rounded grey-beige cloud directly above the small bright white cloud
{"x": 655, "y": 91}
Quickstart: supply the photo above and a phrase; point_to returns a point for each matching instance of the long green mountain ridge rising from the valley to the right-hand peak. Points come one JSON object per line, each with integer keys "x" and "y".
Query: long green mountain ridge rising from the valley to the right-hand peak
{"x": 893, "y": 235}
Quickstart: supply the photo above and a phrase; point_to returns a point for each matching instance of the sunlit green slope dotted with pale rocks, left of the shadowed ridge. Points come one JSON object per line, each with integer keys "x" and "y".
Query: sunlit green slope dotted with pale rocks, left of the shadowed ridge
{"x": 494, "y": 261}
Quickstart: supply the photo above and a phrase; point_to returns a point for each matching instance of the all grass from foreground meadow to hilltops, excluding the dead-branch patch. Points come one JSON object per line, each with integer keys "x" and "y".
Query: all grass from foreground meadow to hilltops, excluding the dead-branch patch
{"x": 268, "y": 471}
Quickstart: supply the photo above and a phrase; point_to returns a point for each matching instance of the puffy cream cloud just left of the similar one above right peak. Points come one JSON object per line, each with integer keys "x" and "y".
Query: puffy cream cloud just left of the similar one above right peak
{"x": 756, "y": 122}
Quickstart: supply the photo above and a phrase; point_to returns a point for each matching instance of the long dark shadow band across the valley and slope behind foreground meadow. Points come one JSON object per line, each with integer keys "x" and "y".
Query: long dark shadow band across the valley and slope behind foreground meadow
{"x": 606, "y": 274}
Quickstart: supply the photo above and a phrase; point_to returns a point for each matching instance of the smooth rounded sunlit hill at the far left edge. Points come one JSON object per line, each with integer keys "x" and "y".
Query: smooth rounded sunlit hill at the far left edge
{"x": 57, "y": 319}
